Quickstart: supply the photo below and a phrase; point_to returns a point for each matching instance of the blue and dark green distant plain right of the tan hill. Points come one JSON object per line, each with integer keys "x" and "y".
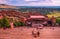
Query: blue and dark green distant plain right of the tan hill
{"x": 39, "y": 9}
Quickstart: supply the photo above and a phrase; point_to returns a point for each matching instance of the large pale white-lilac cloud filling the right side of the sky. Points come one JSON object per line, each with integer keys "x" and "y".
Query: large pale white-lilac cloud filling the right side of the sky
{"x": 44, "y": 3}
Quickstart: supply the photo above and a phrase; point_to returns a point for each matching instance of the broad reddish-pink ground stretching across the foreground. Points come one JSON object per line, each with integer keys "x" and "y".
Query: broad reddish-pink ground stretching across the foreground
{"x": 25, "y": 33}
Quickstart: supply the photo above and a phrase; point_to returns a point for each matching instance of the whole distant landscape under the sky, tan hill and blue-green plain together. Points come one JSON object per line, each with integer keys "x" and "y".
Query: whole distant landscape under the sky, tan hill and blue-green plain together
{"x": 37, "y": 9}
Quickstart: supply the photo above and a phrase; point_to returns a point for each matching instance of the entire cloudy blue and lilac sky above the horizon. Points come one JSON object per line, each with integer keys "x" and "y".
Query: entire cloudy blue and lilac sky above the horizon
{"x": 31, "y": 2}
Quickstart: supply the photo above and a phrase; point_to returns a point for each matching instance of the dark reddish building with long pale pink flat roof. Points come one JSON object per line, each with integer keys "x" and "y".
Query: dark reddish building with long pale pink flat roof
{"x": 35, "y": 20}
